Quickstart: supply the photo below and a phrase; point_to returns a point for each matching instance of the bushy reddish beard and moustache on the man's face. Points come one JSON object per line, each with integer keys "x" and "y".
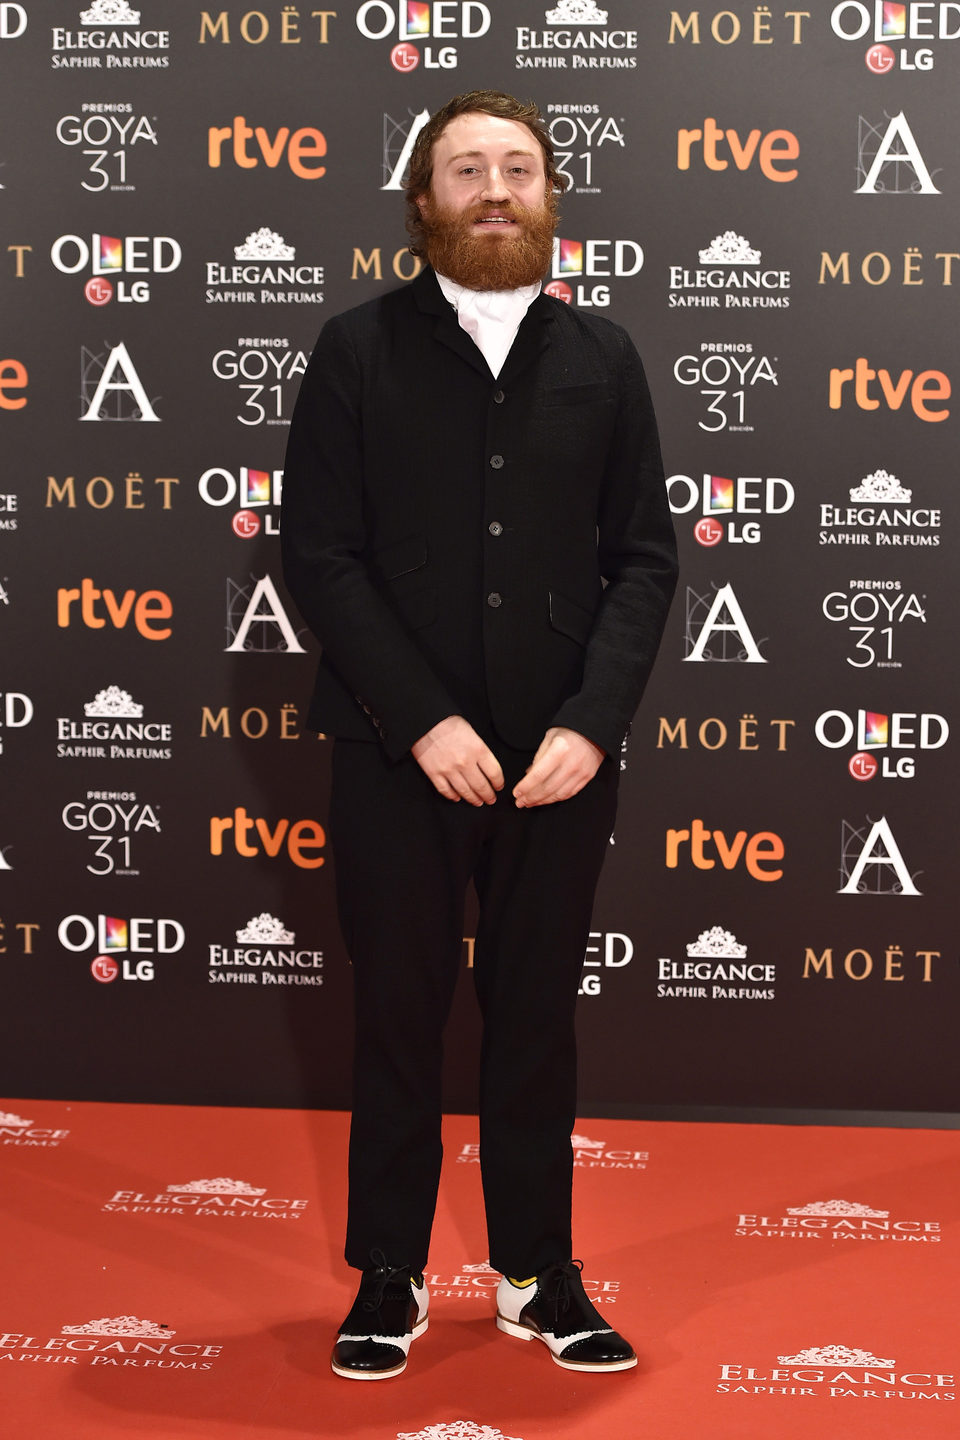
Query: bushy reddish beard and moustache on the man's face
{"x": 479, "y": 260}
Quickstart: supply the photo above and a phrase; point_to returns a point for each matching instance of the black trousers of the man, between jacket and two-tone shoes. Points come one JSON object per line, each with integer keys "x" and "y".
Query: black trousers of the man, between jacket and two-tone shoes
{"x": 405, "y": 858}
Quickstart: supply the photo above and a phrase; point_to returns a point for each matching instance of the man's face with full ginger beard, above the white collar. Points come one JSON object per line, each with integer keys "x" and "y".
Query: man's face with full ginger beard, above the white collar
{"x": 489, "y": 218}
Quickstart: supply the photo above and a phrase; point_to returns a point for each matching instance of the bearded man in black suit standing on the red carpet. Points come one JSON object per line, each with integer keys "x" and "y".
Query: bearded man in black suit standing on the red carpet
{"x": 476, "y": 528}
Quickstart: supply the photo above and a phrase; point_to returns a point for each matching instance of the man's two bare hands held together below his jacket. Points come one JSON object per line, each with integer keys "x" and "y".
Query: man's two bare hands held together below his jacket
{"x": 463, "y": 767}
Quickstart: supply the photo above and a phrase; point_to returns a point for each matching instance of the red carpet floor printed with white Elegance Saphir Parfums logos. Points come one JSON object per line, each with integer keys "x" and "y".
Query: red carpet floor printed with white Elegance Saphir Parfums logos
{"x": 176, "y": 1272}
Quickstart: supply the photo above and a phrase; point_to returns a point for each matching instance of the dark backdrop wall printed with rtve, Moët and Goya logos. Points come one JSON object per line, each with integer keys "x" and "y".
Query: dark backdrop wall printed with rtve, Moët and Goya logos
{"x": 768, "y": 199}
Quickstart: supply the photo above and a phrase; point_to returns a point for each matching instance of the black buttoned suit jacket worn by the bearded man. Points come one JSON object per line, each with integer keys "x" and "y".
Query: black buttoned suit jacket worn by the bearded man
{"x": 466, "y": 545}
